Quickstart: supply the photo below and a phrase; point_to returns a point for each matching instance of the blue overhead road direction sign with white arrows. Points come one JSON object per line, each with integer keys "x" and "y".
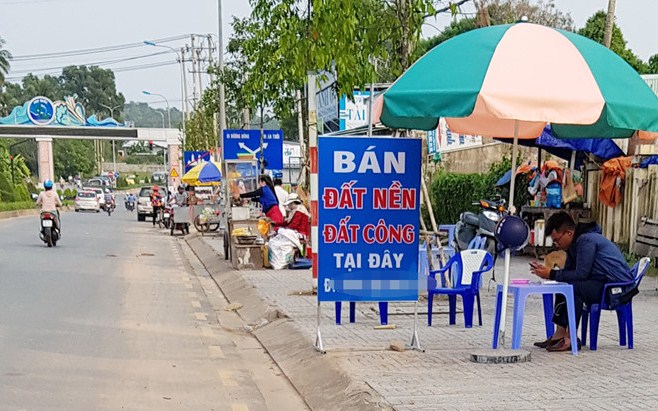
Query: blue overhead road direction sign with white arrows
{"x": 247, "y": 142}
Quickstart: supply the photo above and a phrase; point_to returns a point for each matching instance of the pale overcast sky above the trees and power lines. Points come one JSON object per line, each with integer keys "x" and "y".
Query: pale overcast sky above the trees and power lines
{"x": 32, "y": 27}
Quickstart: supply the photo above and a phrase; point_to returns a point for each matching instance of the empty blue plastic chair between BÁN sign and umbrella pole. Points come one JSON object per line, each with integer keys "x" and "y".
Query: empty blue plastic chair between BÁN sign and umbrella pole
{"x": 465, "y": 269}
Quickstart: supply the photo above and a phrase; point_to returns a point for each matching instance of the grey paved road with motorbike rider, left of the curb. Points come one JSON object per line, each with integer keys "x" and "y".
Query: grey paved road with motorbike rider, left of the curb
{"x": 120, "y": 316}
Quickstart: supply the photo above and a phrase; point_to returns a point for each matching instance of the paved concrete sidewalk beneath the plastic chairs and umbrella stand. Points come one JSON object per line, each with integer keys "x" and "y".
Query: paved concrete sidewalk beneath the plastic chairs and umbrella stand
{"x": 443, "y": 378}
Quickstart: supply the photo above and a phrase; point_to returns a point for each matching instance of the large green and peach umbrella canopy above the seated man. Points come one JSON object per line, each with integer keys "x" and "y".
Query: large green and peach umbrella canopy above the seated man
{"x": 485, "y": 80}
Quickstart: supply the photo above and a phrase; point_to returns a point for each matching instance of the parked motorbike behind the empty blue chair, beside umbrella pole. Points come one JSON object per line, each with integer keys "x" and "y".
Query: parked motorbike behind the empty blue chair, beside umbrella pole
{"x": 478, "y": 230}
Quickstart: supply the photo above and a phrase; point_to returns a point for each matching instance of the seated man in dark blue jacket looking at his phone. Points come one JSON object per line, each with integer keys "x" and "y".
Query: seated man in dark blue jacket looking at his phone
{"x": 592, "y": 261}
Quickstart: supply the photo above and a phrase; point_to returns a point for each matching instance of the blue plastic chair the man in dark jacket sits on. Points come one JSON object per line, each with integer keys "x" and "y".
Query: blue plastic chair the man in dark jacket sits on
{"x": 624, "y": 312}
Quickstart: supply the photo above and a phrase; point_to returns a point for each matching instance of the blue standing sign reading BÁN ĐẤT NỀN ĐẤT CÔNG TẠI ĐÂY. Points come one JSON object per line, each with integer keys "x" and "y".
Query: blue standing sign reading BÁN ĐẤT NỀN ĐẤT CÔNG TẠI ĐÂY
{"x": 368, "y": 216}
